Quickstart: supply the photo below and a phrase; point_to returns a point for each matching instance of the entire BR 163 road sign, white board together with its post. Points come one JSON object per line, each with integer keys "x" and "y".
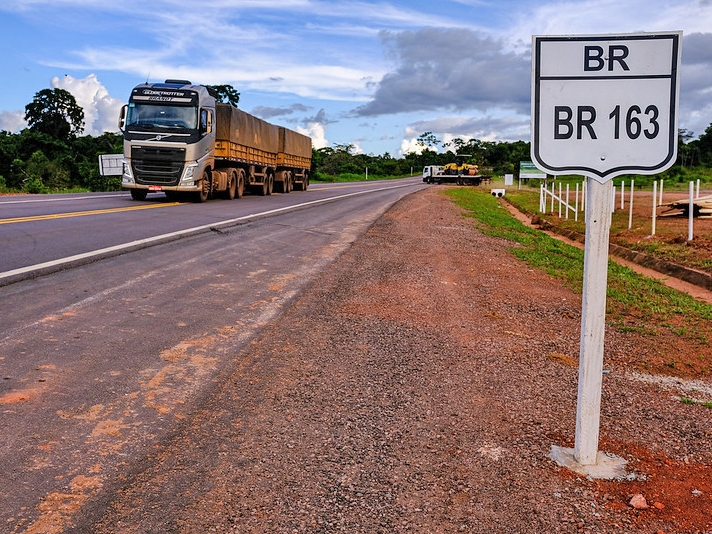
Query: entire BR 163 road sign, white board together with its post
{"x": 602, "y": 106}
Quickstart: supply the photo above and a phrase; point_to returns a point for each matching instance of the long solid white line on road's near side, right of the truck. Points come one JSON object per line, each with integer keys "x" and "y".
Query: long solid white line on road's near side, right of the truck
{"x": 141, "y": 243}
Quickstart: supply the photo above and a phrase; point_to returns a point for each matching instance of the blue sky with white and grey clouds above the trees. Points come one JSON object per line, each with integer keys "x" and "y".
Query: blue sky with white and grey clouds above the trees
{"x": 371, "y": 74}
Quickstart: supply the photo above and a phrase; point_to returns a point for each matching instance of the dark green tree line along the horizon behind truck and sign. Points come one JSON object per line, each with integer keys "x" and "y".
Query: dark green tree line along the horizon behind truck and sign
{"x": 51, "y": 155}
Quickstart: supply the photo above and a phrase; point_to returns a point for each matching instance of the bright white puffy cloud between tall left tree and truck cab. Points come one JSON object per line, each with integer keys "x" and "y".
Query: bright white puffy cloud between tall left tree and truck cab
{"x": 101, "y": 110}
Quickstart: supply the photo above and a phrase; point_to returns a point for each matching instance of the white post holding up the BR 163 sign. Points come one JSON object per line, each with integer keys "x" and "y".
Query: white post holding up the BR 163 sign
{"x": 595, "y": 279}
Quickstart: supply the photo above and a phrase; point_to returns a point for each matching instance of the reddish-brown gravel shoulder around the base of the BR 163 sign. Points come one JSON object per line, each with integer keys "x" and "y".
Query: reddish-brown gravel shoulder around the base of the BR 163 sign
{"x": 418, "y": 386}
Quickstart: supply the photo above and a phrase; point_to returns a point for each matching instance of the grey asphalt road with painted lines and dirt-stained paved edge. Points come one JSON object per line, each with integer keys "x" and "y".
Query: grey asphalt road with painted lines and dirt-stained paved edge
{"x": 116, "y": 321}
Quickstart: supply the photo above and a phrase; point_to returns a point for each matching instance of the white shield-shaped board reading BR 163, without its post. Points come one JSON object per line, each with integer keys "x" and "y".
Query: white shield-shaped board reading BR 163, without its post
{"x": 605, "y": 105}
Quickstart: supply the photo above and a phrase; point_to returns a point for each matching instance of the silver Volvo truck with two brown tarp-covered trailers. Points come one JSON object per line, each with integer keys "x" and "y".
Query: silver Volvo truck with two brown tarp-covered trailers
{"x": 179, "y": 140}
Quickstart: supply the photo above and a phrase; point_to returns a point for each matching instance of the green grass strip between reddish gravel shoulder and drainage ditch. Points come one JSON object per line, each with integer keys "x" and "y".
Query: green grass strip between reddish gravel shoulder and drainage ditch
{"x": 634, "y": 302}
